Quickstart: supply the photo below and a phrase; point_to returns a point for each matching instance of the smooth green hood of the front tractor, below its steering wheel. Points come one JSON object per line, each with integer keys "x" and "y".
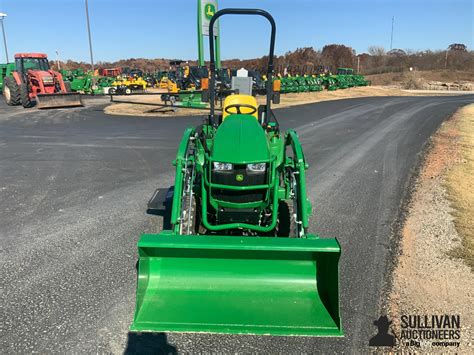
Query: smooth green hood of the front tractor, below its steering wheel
{"x": 240, "y": 140}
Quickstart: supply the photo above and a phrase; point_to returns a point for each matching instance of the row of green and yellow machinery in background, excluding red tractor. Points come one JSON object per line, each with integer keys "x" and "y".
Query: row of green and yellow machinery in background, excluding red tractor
{"x": 189, "y": 78}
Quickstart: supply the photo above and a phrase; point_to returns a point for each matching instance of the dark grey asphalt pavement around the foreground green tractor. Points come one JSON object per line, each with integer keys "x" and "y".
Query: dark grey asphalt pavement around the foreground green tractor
{"x": 73, "y": 191}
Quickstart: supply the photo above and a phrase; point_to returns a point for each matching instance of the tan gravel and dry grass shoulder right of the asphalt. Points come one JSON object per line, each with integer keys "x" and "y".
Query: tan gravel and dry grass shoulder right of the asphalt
{"x": 428, "y": 280}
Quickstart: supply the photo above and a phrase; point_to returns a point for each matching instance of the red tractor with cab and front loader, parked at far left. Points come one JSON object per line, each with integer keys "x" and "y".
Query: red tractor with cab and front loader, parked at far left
{"x": 34, "y": 82}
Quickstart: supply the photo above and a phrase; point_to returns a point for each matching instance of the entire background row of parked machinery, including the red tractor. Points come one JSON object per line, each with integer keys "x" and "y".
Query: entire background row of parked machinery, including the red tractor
{"x": 30, "y": 80}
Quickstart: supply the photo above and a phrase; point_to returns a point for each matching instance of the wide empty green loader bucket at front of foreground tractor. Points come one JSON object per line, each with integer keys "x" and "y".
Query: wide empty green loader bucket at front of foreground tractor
{"x": 237, "y": 285}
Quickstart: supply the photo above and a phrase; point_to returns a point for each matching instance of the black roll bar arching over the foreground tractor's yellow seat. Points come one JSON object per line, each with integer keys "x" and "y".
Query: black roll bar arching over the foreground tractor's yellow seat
{"x": 214, "y": 18}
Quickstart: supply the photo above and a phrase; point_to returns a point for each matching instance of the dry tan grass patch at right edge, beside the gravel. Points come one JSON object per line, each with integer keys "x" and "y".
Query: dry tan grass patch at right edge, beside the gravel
{"x": 460, "y": 186}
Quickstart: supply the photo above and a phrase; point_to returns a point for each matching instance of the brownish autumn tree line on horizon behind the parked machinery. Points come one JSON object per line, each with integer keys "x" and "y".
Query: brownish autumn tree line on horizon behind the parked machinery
{"x": 331, "y": 56}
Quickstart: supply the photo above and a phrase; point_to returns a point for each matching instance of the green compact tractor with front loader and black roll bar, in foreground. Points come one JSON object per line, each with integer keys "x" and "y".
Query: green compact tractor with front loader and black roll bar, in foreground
{"x": 237, "y": 257}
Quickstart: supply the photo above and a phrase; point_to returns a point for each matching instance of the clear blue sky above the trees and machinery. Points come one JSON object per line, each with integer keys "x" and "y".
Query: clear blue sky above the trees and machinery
{"x": 167, "y": 28}
